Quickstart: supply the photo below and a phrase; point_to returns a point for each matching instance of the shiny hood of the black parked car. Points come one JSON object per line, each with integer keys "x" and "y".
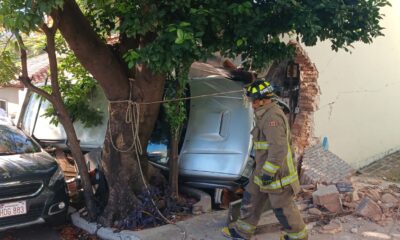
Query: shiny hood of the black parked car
{"x": 26, "y": 166}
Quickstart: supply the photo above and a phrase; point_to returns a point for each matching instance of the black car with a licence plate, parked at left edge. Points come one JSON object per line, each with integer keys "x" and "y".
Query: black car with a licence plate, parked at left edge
{"x": 32, "y": 185}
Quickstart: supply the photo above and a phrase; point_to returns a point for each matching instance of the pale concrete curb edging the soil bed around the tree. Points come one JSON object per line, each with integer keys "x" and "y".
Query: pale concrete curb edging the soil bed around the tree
{"x": 202, "y": 206}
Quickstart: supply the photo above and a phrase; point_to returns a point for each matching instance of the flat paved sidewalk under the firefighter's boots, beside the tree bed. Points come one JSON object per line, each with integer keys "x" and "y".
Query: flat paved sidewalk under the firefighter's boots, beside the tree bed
{"x": 208, "y": 227}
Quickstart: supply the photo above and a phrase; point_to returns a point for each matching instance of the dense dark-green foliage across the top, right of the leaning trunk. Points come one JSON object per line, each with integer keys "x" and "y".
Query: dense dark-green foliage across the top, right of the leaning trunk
{"x": 192, "y": 30}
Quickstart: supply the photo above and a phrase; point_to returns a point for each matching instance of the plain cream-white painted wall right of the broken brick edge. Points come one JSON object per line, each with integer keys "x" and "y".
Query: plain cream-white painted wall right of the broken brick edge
{"x": 360, "y": 102}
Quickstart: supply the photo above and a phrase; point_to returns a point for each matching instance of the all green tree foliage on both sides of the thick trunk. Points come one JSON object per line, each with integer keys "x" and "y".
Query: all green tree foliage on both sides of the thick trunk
{"x": 169, "y": 33}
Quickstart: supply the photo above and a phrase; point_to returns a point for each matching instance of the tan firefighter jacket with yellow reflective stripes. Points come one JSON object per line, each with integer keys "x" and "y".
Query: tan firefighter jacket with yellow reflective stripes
{"x": 273, "y": 152}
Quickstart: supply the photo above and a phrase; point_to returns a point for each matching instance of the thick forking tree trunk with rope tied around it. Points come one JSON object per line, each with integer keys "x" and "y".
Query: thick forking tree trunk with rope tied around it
{"x": 121, "y": 169}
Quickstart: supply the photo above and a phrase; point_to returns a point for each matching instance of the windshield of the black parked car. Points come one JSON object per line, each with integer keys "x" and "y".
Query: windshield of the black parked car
{"x": 14, "y": 141}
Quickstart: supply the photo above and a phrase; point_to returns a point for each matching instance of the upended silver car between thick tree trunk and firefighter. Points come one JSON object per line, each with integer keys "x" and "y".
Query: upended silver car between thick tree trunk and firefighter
{"x": 216, "y": 145}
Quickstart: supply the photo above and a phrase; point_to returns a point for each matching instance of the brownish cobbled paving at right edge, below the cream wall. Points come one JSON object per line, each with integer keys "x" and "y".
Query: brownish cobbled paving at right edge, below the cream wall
{"x": 387, "y": 167}
